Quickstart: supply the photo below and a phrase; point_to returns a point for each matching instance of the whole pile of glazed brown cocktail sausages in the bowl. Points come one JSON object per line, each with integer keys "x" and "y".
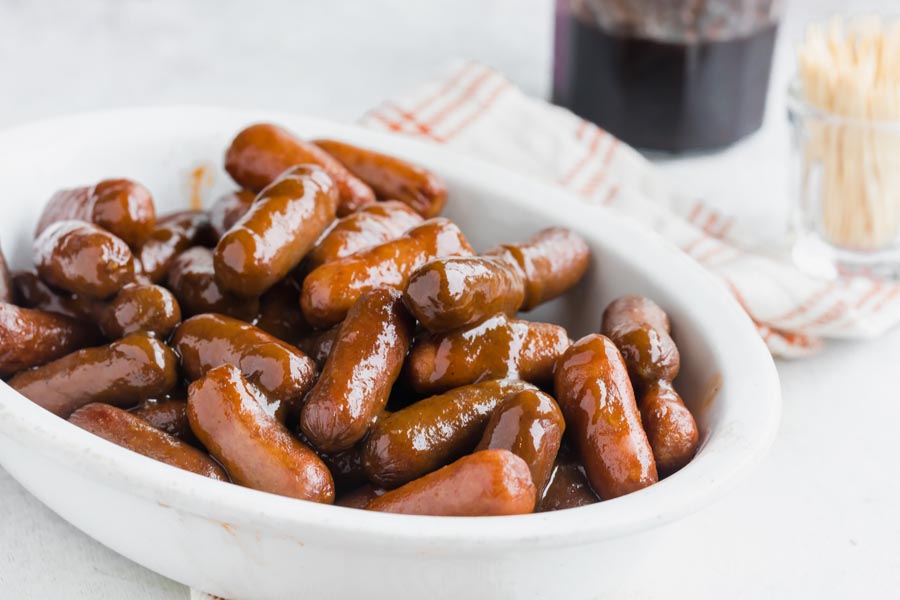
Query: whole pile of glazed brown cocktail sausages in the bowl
{"x": 320, "y": 333}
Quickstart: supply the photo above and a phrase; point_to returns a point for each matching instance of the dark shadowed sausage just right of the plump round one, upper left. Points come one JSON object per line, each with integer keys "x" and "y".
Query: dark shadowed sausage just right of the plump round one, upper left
{"x": 173, "y": 234}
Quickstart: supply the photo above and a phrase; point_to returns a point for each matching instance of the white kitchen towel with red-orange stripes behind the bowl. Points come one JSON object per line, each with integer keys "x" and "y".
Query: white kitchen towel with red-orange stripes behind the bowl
{"x": 478, "y": 112}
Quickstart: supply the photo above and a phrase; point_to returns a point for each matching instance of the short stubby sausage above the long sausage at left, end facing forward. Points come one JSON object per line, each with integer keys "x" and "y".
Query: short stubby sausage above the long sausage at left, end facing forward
{"x": 139, "y": 307}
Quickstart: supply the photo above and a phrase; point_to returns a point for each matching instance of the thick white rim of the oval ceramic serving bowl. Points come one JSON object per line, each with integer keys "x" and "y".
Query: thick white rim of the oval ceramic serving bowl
{"x": 754, "y": 408}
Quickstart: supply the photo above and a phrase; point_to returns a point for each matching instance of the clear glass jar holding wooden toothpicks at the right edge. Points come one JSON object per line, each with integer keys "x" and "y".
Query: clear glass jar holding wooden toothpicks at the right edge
{"x": 846, "y": 180}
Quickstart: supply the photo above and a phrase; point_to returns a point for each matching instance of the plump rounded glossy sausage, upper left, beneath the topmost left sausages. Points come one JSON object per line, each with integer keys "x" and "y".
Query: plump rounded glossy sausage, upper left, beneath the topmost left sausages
{"x": 83, "y": 259}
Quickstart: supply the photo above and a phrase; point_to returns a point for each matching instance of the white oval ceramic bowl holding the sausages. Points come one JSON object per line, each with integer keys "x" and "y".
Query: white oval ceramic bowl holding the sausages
{"x": 245, "y": 544}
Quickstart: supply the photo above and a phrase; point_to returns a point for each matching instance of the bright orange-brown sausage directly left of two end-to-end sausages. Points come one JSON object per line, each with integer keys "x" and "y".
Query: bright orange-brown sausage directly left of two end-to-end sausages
{"x": 330, "y": 291}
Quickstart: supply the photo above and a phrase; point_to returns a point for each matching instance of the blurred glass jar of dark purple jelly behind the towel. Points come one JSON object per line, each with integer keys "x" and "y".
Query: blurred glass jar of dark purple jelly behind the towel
{"x": 669, "y": 75}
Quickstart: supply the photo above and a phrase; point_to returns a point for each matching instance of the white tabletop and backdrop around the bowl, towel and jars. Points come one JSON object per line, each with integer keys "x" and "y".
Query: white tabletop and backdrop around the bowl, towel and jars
{"x": 820, "y": 518}
